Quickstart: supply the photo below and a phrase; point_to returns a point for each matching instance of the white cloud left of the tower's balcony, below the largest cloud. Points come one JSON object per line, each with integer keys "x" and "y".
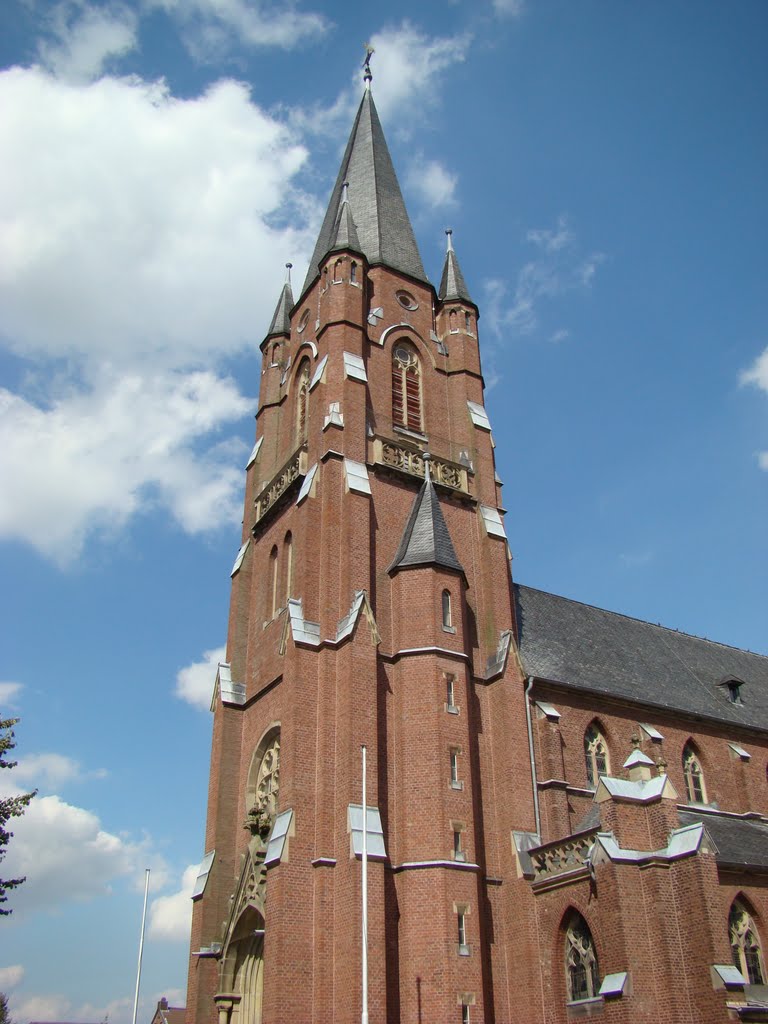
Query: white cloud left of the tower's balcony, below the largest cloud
{"x": 101, "y": 456}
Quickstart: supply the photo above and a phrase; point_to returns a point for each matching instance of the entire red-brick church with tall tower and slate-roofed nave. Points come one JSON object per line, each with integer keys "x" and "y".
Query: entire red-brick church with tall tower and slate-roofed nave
{"x": 566, "y": 809}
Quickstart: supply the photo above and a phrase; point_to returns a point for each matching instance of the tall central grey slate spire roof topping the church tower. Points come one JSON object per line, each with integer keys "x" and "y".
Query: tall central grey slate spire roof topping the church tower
{"x": 376, "y": 203}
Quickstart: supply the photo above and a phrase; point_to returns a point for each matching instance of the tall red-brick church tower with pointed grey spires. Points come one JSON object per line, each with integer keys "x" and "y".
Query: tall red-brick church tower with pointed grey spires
{"x": 371, "y": 605}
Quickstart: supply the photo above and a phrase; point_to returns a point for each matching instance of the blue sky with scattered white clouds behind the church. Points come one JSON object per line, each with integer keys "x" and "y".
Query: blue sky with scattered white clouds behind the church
{"x": 604, "y": 168}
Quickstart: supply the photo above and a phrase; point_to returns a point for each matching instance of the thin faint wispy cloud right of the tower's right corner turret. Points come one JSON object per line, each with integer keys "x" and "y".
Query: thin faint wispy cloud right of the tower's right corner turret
{"x": 558, "y": 268}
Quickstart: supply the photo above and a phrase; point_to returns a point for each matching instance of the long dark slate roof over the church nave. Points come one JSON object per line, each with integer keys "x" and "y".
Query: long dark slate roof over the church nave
{"x": 587, "y": 649}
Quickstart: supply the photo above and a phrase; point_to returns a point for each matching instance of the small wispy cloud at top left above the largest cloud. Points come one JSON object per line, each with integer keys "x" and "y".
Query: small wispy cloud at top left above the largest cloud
{"x": 84, "y": 38}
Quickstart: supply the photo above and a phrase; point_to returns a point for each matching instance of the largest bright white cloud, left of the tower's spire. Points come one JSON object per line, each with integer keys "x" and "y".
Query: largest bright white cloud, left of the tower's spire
{"x": 148, "y": 224}
